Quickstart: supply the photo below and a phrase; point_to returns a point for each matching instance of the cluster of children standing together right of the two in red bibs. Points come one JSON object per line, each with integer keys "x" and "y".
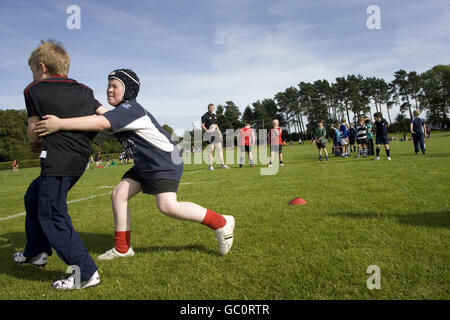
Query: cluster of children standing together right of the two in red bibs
{"x": 344, "y": 138}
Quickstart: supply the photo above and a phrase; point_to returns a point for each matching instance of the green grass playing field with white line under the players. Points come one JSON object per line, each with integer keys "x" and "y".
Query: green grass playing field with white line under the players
{"x": 393, "y": 214}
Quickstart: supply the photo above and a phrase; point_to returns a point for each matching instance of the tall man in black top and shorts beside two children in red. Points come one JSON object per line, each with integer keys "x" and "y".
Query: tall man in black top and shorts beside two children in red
{"x": 213, "y": 136}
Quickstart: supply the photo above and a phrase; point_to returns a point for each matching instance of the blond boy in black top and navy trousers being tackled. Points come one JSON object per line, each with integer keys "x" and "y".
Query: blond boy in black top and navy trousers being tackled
{"x": 63, "y": 157}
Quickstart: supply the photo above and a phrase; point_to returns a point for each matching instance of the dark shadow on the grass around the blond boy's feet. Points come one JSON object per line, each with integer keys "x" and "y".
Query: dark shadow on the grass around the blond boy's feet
{"x": 14, "y": 241}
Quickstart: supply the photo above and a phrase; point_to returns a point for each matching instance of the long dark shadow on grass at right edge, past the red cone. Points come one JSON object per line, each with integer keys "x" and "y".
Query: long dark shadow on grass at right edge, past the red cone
{"x": 428, "y": 219}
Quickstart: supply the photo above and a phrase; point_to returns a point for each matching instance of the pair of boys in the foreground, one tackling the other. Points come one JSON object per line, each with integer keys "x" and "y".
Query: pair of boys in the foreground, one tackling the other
{"x": 63, "y": 116}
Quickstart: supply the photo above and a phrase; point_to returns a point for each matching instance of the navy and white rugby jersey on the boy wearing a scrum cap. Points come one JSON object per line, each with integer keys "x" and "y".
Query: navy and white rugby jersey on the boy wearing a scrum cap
{"x": 150, "y": 146}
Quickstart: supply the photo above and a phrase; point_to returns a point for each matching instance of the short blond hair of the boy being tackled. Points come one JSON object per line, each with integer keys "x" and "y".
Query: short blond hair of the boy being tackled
{"x": 53, "y": 55}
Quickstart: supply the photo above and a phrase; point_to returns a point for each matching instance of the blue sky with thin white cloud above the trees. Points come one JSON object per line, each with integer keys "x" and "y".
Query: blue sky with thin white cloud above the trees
{"x": 193, "y": 52}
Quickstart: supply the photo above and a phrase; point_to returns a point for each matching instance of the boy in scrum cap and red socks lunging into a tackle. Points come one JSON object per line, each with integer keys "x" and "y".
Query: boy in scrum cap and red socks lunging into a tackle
{"x": 158, "y": 166}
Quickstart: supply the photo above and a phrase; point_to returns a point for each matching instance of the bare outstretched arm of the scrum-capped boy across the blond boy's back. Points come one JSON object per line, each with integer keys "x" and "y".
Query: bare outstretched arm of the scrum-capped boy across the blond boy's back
{"x": 51, "y": 124}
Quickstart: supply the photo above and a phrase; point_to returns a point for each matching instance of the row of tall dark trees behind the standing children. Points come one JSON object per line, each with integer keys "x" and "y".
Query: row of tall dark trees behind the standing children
{"x": 299, "y": 108}
